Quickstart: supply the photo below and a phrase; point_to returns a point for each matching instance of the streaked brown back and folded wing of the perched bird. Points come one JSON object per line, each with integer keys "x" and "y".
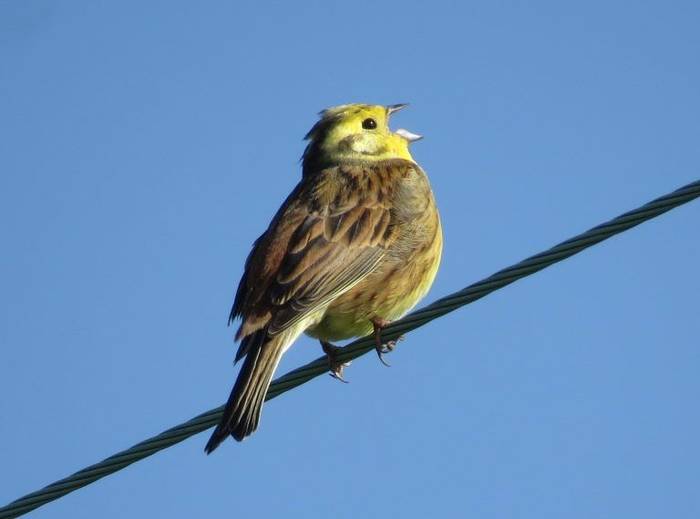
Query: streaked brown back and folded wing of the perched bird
{"x": 331, "y": 232}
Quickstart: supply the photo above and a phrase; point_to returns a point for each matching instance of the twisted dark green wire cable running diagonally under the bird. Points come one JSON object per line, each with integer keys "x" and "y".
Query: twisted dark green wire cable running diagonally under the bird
{"x": 359, "y": 347}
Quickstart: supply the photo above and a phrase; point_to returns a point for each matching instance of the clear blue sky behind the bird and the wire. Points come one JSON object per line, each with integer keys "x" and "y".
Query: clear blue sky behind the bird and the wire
{"x": 145, "y": 145}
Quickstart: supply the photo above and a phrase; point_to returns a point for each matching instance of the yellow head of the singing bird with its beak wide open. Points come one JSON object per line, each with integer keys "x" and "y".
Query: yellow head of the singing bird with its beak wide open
{"x": 356, "y": 131}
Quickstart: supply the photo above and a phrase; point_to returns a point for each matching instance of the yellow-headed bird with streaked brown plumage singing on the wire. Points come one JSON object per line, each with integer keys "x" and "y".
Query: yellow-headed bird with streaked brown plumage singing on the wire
{"x": 354, "y": 246}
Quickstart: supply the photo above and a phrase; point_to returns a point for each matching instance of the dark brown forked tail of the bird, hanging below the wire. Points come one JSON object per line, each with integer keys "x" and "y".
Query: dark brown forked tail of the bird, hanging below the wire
{"x": 242, "y": 411}
